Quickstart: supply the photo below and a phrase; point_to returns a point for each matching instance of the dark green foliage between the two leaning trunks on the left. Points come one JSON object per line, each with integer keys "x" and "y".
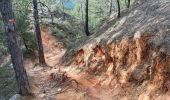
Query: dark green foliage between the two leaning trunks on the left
{"x": 23, "y": 29}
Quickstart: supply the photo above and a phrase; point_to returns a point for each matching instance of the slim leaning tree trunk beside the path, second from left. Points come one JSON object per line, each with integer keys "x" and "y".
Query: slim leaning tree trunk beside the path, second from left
{"x": 38, "y": 33}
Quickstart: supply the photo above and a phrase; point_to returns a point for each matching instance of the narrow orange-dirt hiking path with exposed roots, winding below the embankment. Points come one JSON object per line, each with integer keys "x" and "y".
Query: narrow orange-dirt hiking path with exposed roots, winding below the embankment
{"x": 78, "y": 85}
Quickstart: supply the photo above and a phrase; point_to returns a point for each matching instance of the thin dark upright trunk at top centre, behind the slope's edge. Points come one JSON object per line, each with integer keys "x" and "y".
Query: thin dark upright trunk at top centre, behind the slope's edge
{"x": 86, "y": 27}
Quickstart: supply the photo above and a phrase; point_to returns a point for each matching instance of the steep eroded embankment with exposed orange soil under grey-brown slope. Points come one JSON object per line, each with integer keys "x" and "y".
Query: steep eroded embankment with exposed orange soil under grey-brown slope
{"x": 135, "y": 51}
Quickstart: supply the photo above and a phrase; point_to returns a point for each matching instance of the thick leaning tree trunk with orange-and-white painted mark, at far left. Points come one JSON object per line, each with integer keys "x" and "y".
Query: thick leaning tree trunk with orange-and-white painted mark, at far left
{"x": 14, "y": 47}
